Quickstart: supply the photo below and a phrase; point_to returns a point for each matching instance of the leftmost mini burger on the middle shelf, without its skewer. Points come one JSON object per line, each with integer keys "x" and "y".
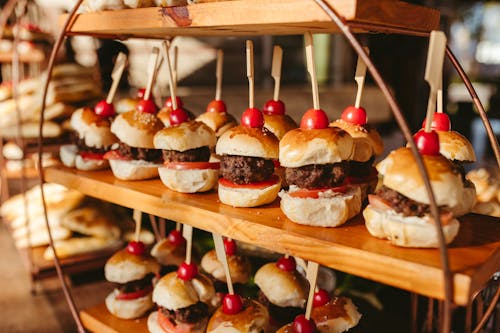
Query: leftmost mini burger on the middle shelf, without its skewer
{"x": 92, "y": 139}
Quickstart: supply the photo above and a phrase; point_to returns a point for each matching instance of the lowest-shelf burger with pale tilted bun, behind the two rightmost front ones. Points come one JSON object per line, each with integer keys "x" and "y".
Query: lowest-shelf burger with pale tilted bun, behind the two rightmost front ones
{"x": 283, "y": 290}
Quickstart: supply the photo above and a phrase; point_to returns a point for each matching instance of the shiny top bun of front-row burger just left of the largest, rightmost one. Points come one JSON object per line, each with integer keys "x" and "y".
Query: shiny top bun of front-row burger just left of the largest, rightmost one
{"x": 301, "y": 147}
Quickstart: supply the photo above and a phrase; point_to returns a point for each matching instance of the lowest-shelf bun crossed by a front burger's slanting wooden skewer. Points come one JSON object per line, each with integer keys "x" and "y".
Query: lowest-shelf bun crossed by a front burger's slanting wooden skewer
{"x": 239, "y": 267}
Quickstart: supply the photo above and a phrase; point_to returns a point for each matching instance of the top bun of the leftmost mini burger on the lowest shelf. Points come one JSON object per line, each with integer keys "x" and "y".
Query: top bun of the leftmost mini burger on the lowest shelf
{"x": 124, "y": 267}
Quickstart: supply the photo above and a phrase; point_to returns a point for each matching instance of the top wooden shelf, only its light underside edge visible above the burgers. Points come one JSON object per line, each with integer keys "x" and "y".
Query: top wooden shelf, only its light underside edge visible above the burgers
{"x": 256, "y": 17}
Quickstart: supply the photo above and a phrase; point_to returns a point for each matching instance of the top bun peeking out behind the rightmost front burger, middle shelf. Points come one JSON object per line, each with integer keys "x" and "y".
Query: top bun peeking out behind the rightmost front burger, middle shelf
{"x": 454, "y": 146}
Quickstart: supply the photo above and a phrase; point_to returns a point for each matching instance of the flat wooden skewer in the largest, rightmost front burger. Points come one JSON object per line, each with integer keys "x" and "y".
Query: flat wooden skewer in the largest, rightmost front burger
{"x": 434, "y": 72}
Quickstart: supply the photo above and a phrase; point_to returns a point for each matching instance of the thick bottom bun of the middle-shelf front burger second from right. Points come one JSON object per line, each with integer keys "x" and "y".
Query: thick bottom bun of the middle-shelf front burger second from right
{"x": 328, "y": 211}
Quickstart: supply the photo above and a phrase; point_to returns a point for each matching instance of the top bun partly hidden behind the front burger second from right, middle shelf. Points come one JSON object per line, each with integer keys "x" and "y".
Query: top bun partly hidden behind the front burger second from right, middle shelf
{"x": 367, "y": 141}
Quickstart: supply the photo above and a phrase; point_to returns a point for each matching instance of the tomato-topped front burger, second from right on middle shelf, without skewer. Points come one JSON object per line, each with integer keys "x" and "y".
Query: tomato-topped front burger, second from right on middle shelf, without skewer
{"x": 316, "y": 160}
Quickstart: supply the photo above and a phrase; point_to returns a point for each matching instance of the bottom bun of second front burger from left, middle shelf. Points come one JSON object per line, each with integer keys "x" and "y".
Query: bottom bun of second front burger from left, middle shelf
{"x": 134, "y": 169}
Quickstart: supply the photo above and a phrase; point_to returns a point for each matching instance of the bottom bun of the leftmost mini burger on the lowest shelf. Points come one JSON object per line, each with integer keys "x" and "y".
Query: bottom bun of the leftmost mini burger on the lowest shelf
{"x": 128, "y": 309}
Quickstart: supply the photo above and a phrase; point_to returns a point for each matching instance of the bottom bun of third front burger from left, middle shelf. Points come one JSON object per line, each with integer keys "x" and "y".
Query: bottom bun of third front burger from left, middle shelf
{"x": 189, "y": 181}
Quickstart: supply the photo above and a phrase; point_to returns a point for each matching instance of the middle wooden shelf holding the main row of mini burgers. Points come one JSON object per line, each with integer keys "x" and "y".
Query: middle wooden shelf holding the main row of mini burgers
{"x": 474, "y": 255}
